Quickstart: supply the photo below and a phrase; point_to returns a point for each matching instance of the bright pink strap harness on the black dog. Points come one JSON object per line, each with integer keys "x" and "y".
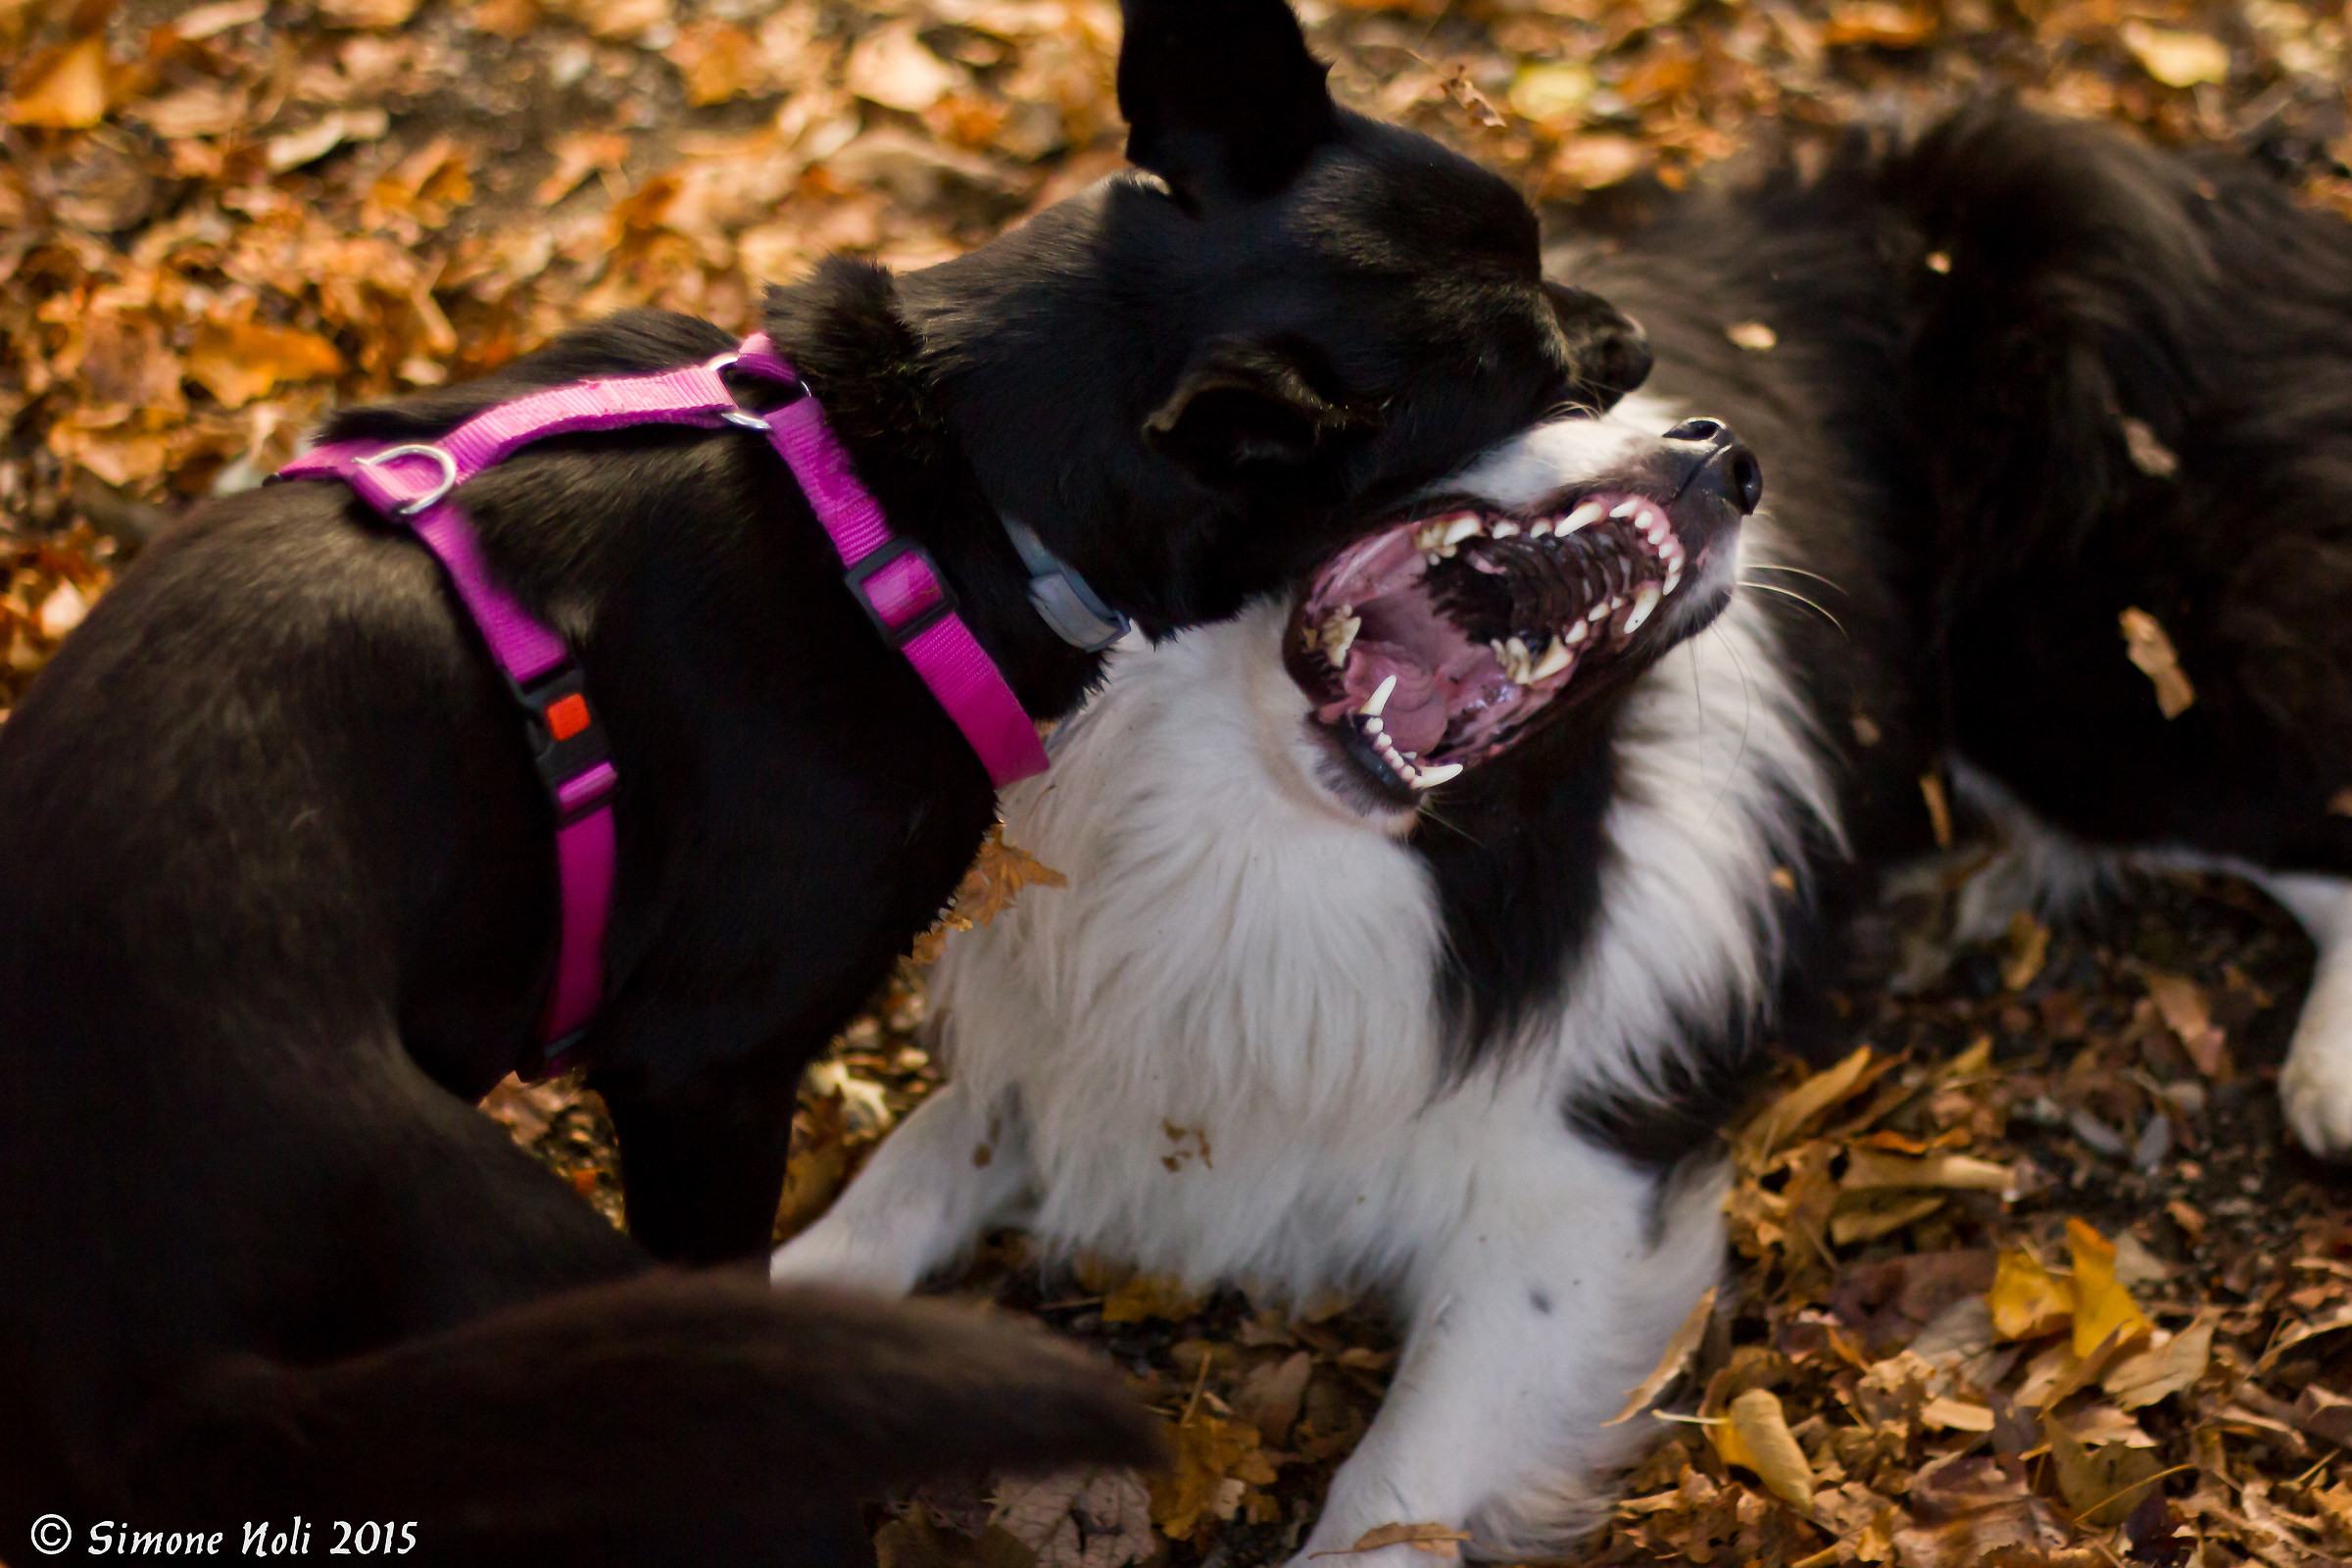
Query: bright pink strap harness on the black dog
{"x": 888, "y": 575}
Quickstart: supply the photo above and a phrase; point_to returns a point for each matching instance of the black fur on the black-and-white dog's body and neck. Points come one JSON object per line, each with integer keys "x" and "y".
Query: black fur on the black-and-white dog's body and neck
{"x": 1967, "y": 321}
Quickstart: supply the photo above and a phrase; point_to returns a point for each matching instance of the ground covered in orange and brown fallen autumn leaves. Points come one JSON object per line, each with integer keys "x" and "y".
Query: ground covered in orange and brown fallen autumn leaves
{"x": 2026, "y": 1278}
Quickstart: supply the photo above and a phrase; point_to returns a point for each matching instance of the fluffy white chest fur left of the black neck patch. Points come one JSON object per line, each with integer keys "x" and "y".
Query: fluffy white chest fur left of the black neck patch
{"x": 1222, "y": 1033}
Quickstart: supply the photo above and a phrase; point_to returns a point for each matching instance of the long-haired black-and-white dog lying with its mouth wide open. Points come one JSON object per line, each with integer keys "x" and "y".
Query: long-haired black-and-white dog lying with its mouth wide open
{"x": 1448, "y": 904}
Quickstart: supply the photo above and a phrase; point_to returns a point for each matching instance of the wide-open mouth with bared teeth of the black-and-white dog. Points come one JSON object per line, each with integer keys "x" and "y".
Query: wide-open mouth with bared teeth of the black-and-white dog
{"x": 1431, "y": 645}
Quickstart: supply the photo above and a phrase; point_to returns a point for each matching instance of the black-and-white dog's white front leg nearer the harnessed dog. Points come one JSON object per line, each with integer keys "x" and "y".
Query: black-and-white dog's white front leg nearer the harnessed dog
{"x": 949, "y": 1172}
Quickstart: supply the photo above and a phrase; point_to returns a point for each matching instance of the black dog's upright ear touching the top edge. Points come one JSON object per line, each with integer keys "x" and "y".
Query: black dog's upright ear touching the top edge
{"x": 1222, "y": 98}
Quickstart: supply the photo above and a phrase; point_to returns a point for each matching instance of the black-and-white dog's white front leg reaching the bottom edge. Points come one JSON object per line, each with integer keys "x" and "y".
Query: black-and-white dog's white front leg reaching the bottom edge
{"x": 1556, "y": 1296}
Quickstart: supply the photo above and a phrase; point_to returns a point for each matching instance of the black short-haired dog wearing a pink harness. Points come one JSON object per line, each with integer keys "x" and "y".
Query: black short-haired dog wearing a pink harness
{"x": 276, "y": 892}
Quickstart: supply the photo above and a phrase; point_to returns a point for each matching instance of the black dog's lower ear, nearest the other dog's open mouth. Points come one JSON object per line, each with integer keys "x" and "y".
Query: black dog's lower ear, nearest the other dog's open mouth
{"x": 1255, "y": 410}
